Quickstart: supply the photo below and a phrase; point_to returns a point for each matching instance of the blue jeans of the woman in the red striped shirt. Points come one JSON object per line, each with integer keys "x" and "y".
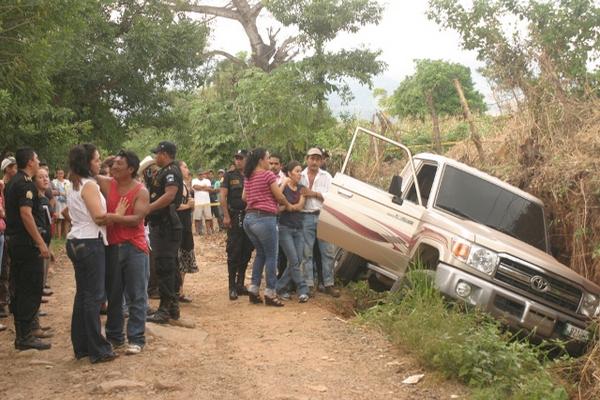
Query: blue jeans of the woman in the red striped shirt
{"x": 263, "y": 233}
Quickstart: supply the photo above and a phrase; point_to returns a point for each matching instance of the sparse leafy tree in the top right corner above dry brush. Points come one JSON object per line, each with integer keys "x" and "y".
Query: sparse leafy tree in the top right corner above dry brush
{"x": 529, "y": 47}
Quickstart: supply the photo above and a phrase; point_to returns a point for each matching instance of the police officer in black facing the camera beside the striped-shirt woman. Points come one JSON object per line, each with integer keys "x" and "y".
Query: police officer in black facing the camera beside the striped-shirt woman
{"x": 239, "y": 246}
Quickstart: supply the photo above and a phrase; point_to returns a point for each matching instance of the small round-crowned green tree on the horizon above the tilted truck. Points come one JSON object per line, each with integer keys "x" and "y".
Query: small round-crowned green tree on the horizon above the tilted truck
{"x": 430, "y": 92}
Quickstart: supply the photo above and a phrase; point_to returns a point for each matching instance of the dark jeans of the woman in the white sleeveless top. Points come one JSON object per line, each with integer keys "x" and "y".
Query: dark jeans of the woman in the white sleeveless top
{"x": 88, "y": 257}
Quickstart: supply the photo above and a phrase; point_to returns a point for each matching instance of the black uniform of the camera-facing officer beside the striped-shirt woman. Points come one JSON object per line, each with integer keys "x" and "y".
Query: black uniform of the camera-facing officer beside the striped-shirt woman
{"x": 239, "y": 246}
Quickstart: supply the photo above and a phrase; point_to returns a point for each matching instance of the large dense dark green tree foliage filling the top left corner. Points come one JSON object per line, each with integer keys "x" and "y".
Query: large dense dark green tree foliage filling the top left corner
{"x": 84, "y": 70}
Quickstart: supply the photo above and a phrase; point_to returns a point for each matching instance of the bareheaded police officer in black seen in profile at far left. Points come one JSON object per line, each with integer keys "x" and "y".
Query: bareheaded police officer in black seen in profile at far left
{"x": 27, "y": 249}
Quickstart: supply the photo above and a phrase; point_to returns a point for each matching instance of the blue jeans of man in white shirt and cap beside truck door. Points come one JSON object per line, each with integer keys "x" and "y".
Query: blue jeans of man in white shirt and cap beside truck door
{"x": 327, "y": 253}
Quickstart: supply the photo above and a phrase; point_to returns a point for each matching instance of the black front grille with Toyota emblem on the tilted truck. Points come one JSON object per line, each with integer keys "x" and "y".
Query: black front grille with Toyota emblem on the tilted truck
{"x": 556, "y": 292}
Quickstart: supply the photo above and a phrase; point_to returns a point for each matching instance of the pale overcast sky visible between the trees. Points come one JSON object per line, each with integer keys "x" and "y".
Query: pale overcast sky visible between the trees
{"x": 403, "y": 35}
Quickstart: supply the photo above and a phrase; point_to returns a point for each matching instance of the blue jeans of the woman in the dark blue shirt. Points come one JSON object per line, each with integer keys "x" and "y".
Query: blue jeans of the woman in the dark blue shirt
{"x": 292, "y": 242}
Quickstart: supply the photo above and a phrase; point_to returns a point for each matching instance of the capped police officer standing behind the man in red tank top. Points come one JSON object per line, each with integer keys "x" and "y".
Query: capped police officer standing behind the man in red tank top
{"x": 166, "y": 193}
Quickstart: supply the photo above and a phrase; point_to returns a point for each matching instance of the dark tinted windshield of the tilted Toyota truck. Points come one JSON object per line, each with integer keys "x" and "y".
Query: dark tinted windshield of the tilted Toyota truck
{"x": 468, "y": 196}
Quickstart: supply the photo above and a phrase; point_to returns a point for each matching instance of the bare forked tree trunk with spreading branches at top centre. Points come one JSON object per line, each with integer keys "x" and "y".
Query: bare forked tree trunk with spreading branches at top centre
{"x": 266, "y": 56}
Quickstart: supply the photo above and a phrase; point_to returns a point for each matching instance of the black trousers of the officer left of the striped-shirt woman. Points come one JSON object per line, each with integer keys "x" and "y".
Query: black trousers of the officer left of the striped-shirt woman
{"x": 239, "y": 250}
